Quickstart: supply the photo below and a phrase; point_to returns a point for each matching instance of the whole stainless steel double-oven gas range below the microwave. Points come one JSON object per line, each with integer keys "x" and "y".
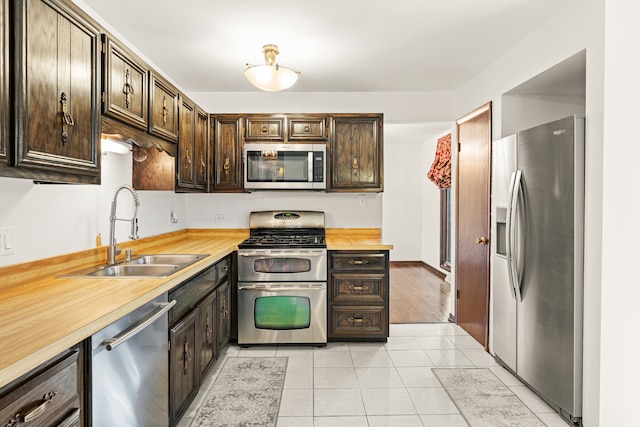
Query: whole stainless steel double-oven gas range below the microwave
{"x": 282, "y": 279}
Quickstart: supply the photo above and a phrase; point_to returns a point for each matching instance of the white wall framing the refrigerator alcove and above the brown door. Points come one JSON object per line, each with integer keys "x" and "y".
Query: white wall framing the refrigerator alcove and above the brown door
{"x": 579, "y": 25}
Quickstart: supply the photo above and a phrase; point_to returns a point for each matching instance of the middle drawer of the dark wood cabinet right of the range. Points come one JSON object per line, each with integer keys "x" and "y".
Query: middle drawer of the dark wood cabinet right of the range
{"x": 358, "y": 288}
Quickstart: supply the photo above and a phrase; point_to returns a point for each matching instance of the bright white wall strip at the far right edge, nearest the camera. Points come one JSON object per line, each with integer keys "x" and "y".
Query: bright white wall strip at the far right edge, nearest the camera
{"x": 620, "y": 371}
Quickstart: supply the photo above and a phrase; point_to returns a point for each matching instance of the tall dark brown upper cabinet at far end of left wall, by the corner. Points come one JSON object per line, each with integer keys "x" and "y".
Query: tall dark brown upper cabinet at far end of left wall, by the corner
{"x": 192, "y": 147}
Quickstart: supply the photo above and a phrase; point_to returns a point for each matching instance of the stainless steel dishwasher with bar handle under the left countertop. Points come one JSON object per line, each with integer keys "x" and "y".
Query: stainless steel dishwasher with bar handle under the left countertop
{"x": 130, "y": 368}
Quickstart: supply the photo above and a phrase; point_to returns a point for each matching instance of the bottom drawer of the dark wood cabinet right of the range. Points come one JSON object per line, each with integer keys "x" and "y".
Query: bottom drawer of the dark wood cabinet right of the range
{"x": 358, "y": 322}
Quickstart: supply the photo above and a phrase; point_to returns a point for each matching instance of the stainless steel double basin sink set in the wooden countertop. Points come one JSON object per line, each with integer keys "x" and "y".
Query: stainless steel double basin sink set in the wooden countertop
{"x": 156, "y": 265}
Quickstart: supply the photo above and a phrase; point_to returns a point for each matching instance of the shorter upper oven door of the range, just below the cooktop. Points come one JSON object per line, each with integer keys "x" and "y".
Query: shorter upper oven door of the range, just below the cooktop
{"x": 274, "y": 265}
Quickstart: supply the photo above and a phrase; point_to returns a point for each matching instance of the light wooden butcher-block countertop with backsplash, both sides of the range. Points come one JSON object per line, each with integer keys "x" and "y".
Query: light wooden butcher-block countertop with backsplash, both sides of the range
{"x": 42, "y": 314}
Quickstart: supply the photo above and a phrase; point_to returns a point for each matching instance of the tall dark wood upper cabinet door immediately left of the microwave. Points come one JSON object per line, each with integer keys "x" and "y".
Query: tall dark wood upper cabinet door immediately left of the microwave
{"x": 227, "y": 154}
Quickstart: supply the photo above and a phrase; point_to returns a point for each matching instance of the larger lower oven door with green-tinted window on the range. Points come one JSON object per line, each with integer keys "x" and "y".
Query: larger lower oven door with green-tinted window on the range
{"x": 282, "y": 313}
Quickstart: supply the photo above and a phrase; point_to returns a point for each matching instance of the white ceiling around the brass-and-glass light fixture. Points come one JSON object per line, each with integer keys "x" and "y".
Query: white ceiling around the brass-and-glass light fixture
{"x": 337, "y": 45}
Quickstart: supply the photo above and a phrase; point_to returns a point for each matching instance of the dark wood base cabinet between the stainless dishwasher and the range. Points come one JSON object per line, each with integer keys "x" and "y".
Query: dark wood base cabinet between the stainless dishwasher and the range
{"x": 196, "y": 324}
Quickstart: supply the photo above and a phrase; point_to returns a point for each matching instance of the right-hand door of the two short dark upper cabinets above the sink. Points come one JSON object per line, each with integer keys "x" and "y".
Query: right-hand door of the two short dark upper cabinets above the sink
{"x": 163, "y": 105}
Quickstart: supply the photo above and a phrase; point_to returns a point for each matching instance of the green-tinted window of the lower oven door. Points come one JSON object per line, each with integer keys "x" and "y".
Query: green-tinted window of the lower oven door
{"x": 282, "y": 312}
